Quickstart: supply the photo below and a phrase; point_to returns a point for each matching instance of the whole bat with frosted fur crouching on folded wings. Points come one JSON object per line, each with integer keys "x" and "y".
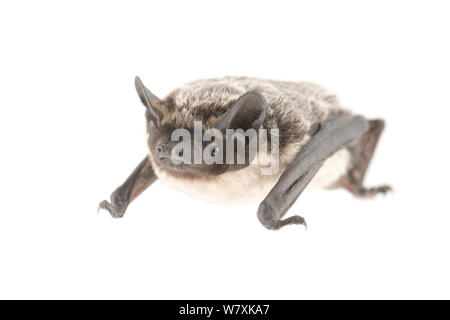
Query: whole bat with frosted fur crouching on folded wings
{"x": 242, "y": 127}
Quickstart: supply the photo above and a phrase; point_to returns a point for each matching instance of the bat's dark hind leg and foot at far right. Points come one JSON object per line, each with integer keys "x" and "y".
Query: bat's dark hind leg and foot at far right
{"x": 362, "y": 151}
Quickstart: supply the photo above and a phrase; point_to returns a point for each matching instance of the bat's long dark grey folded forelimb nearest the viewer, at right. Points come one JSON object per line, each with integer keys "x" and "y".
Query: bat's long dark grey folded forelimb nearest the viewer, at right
{"x": 331, "y": 135}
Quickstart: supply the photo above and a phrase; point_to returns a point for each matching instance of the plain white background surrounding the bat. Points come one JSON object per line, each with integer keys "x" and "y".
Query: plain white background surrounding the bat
{"x": 72, "y": 129}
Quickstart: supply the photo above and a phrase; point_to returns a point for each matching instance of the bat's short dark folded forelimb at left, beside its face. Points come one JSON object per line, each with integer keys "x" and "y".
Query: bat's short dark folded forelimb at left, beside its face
{"x": 142, "y": 177}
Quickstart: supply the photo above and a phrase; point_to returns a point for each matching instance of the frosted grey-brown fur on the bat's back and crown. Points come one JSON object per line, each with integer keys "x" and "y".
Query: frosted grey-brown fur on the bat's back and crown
{"x": 293, "y": 107}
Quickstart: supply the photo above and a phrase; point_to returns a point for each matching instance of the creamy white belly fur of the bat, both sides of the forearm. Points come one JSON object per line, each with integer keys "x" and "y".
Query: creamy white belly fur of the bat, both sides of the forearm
{"x": 249, "y": 185}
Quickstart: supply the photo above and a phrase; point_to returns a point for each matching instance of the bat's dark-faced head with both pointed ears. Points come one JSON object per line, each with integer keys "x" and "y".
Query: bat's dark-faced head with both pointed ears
{"x": 196, "y": 148}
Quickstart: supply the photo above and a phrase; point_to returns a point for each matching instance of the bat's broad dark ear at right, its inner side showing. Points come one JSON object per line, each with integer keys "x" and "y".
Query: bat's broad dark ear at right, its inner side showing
{"x": 247, "y": 112}
